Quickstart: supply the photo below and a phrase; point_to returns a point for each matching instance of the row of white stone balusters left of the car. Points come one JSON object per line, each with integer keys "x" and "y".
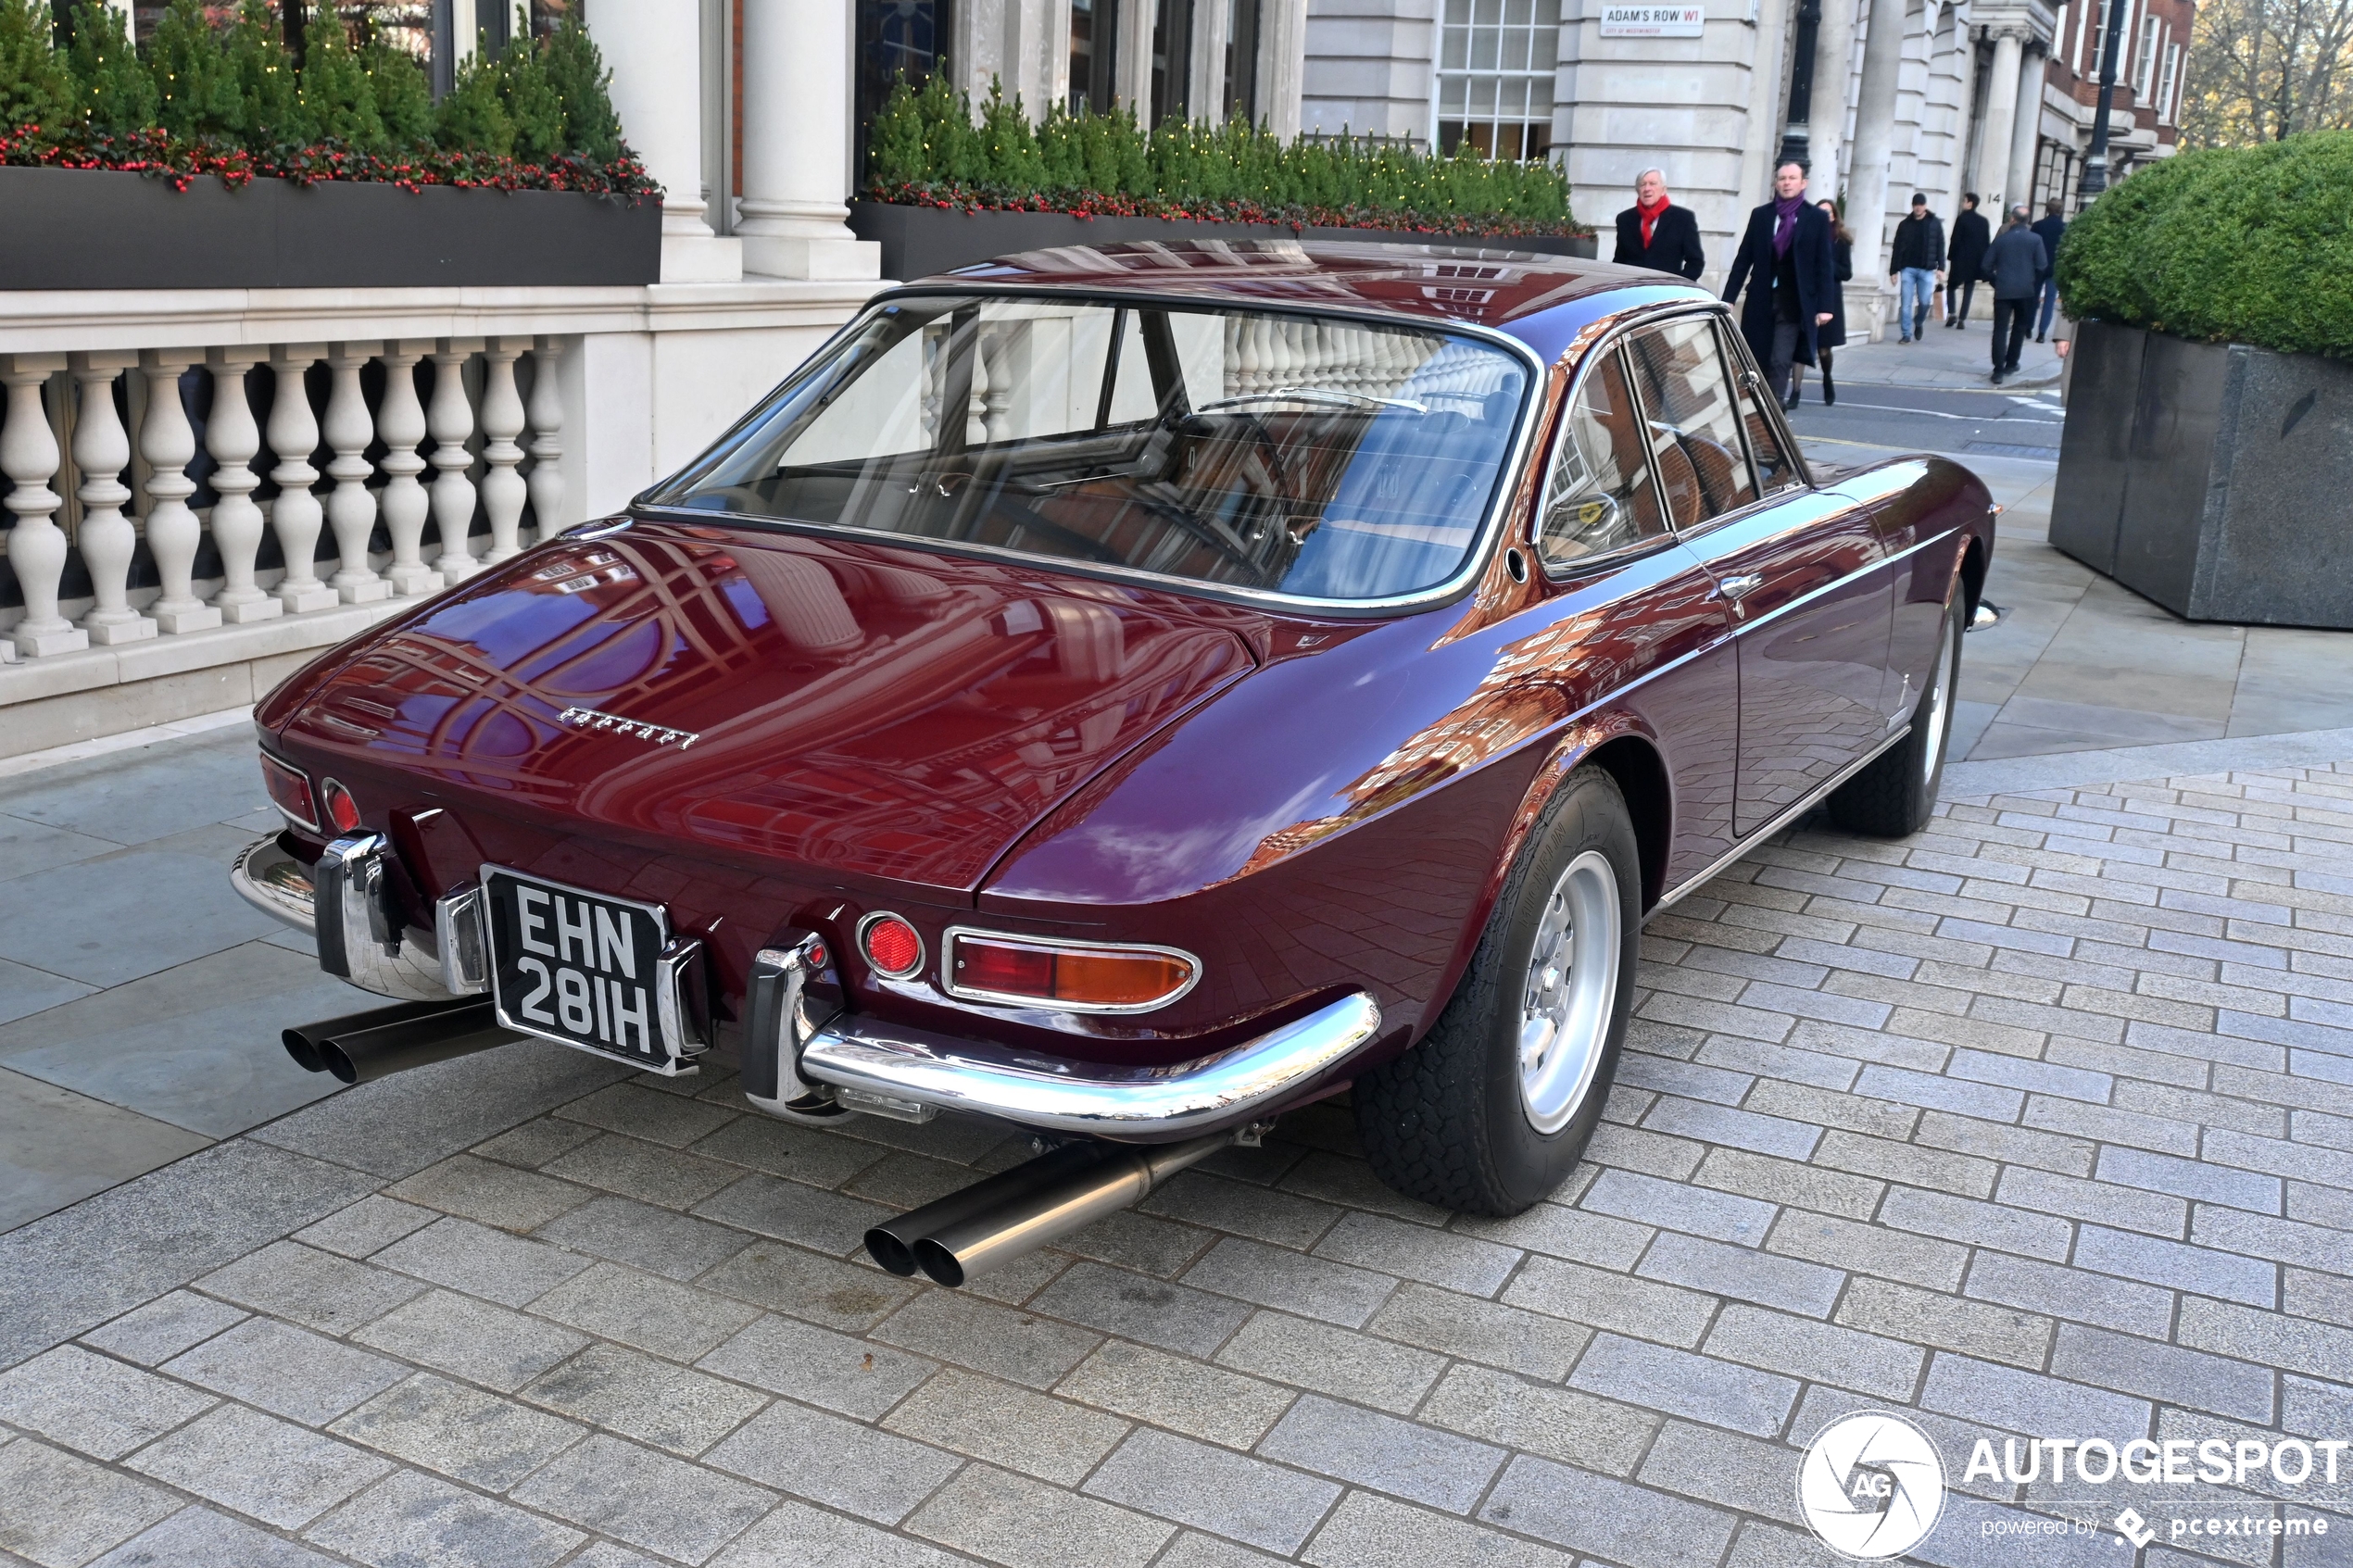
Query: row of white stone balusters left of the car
{"x": 218, "y": 549}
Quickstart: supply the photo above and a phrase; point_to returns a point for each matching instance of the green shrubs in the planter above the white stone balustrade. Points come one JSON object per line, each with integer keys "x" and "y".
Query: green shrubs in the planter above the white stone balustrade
{"x": 213, "y": 93}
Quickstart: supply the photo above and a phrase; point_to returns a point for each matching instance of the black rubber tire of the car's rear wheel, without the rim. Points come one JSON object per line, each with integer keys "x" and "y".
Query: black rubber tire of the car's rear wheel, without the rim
{"x": 1448, "y": 1123}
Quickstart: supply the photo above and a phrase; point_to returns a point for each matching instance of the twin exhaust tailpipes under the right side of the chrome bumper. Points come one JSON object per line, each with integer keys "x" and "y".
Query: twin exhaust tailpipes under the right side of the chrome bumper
{"x": 1018, "y": 1212}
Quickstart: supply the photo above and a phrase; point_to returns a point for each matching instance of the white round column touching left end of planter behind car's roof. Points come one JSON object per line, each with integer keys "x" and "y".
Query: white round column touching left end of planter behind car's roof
{"x": 796, "y": 145}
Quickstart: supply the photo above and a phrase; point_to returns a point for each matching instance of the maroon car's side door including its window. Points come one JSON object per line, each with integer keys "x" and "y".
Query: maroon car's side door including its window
{"x": 1801, "y": 568}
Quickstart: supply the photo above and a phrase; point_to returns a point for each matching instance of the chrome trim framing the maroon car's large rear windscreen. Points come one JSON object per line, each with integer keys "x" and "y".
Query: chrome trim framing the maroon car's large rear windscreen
{"x": 1455, "y": 587}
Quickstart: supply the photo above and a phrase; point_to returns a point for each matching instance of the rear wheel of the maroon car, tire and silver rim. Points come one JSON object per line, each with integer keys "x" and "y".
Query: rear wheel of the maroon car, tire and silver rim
{"x": 1493, "y": 1108}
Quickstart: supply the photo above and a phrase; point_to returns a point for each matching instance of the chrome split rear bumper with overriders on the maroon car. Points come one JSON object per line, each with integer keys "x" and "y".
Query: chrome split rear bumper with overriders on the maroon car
{"x": 804, "y": 1054}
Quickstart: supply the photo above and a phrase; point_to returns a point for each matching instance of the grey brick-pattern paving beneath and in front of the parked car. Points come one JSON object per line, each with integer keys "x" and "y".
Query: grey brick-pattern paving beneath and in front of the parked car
{"x": 2037, "y": 1123}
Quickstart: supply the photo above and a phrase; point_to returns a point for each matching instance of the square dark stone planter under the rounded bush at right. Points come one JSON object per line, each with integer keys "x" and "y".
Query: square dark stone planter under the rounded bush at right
{"x": 2211, "y": 478}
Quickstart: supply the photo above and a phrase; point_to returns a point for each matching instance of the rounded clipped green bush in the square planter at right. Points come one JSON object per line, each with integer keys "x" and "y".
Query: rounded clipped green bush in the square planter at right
{"x": 2251, "y": 246}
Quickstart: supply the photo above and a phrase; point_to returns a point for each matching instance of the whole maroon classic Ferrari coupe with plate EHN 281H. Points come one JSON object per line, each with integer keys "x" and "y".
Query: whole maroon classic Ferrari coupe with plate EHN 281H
{"x": 1133, "y": 692}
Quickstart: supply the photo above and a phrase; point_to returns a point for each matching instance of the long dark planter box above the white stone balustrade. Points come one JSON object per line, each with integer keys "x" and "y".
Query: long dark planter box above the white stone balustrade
{"x": 98, "y": 229}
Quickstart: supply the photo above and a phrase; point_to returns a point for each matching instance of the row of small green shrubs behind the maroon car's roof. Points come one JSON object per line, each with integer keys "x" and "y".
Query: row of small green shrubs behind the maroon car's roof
{"x": 931, "y": 147}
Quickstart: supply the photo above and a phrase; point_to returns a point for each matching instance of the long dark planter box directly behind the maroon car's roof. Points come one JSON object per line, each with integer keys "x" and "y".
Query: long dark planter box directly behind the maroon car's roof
{"x": 924, "y": 241}
